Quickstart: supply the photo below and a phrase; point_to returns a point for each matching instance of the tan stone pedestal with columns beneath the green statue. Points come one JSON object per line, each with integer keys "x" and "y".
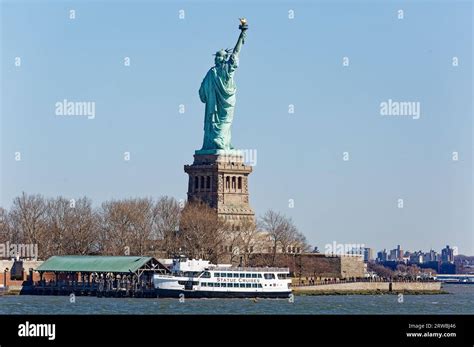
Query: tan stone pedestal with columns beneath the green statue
{"x": 221, "y": 181}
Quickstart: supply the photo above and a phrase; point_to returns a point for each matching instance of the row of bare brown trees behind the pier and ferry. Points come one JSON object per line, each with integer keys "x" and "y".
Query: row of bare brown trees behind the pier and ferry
{"x": 142, "y": 226}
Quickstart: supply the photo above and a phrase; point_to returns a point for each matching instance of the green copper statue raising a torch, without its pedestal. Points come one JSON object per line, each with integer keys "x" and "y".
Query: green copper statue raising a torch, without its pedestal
{"x": 218, "y": 93}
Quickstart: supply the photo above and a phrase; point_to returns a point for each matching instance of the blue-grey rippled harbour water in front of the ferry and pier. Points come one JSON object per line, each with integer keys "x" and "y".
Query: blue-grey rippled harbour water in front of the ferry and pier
{"x": 460, "y": 300}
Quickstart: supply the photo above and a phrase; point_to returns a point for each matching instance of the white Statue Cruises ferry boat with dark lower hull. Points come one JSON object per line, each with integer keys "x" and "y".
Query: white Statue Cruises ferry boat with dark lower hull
{"x": 200, "y": 279}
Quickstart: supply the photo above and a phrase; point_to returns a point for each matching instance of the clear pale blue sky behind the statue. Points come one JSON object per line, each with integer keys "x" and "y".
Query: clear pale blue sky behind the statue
{"x": 284, "y": 61}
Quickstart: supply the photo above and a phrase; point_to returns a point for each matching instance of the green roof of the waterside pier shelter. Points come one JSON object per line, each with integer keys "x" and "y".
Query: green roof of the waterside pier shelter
{"x": 78, "y": 263}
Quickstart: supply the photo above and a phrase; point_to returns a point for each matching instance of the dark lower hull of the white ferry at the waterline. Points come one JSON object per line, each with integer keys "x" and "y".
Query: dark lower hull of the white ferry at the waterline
{"x": 177, "y": 293}
